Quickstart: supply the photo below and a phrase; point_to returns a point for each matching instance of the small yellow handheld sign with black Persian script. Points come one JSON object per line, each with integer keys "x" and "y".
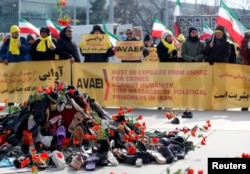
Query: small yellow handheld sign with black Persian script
{"x": 94, "y": 43}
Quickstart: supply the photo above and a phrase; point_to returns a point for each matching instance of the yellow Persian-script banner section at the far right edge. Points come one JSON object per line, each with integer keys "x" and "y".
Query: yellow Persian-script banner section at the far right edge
{"x": 231, "y": 86}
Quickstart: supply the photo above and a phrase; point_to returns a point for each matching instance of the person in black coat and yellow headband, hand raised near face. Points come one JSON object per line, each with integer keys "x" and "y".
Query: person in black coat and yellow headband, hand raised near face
{"x": 217, "y": 49}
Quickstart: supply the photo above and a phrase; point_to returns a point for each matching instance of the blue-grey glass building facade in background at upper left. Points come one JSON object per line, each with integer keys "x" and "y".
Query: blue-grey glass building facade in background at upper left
{"x": 35, "y": 11}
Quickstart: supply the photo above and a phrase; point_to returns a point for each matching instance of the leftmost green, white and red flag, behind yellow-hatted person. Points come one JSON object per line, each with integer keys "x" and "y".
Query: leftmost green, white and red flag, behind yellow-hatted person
{"x": 28, "y": 28}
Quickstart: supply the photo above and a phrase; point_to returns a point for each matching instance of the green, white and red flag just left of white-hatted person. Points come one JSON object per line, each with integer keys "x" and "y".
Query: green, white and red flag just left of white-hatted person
{"x": 159, "y": 28}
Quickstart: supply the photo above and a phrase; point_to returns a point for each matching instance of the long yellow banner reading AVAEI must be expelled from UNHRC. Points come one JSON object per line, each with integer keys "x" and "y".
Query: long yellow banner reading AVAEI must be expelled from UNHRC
{"x": 146, "y": 85}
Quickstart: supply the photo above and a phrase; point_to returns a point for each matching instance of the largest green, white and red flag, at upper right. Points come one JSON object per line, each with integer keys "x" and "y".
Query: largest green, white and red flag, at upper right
{"x": 228, "y": 19}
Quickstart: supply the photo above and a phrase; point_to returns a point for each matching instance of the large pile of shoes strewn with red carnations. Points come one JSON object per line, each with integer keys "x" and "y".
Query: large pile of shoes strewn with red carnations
{"x": 75, "y": 130}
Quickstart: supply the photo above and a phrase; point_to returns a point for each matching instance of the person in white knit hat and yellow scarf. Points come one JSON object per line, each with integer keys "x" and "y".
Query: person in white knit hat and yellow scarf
{"x": 166, "y": 49}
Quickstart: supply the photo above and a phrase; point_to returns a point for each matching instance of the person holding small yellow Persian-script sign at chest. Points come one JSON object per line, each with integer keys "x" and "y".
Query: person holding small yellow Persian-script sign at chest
{"x": 97, "y": 56}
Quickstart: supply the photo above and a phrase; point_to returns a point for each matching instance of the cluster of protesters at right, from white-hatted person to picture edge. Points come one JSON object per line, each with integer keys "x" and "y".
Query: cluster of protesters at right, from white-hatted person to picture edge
{"x": 218, "y": 48}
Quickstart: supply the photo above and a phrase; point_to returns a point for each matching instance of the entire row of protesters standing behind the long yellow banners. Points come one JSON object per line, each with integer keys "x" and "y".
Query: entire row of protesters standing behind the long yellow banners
{"x": 190, "y": 49}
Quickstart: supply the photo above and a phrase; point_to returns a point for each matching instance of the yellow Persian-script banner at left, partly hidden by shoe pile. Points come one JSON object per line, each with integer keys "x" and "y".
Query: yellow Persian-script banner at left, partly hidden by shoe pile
{"x": 19, "y": 80}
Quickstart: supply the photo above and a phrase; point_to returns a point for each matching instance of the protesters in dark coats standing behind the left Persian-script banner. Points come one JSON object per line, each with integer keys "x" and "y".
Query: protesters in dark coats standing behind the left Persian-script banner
{"x": 18, "y": 49}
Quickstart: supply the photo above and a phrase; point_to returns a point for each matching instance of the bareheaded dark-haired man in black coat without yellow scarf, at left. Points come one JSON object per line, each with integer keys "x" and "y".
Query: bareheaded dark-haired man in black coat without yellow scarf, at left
{"x": 66, "y": 48}
